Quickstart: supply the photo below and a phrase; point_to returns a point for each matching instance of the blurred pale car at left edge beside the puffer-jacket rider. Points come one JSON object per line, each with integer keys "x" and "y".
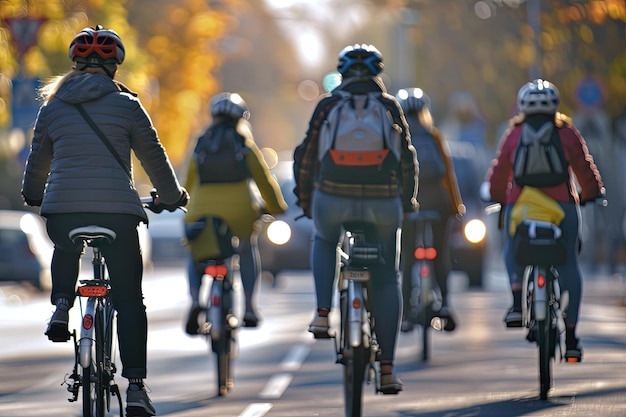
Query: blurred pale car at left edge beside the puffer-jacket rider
{"x": 25, "y": 249}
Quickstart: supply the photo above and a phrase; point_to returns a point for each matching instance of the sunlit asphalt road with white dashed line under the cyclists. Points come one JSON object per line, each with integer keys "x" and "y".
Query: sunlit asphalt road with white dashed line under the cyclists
{"x": 481, "y": 369}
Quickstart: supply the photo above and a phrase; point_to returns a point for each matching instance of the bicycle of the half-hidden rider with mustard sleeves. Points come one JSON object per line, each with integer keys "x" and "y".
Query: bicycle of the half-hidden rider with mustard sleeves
{"x": 425, "y": 297}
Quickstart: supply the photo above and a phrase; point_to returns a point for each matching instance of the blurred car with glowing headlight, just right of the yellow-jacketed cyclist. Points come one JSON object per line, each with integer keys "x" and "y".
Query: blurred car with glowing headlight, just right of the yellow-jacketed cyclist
{"x": 285, "y": 243}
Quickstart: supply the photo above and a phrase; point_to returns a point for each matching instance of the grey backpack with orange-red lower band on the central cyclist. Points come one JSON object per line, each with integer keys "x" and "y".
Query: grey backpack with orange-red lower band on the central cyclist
{"x": 358, "y": 141}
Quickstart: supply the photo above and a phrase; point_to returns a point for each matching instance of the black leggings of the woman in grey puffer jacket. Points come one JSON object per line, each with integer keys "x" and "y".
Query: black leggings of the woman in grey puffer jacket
{"x": 124, "y": 263}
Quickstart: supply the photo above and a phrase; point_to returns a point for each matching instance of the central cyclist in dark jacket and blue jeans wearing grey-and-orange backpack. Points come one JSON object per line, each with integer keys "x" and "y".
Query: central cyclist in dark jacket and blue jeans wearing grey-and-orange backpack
{"x": 378, "y": 197}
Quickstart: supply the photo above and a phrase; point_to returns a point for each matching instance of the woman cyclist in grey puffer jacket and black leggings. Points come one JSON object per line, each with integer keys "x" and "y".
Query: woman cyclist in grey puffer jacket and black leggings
{"x": 78, "y": 181}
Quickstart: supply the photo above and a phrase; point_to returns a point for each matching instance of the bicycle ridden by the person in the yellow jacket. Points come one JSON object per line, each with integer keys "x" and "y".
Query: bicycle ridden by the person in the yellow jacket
{"x": 220, "y": 322}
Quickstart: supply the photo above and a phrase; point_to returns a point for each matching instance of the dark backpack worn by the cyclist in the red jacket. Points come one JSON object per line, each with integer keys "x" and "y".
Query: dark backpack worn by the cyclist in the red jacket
{"x": 539, "y": 158}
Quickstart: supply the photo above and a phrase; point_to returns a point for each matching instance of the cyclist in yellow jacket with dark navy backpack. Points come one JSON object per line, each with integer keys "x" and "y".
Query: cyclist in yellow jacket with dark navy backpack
{"x": 224, "y": 163}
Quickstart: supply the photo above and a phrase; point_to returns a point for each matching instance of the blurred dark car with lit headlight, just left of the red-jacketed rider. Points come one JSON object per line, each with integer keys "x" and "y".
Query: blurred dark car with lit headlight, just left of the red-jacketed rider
{"x": 468, "y": 237}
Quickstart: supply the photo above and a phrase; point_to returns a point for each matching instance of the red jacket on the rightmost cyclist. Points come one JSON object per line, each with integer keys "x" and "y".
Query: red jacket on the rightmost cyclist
{"x": 581, "y": 165}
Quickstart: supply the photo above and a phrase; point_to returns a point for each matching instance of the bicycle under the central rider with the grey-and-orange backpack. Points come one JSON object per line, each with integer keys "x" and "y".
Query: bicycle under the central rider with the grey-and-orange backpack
{"x": 356, "y": 345}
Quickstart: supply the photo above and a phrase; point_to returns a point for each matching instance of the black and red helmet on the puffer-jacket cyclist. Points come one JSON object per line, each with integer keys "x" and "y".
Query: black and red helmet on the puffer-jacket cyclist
{"x": 97, "y": 46}
